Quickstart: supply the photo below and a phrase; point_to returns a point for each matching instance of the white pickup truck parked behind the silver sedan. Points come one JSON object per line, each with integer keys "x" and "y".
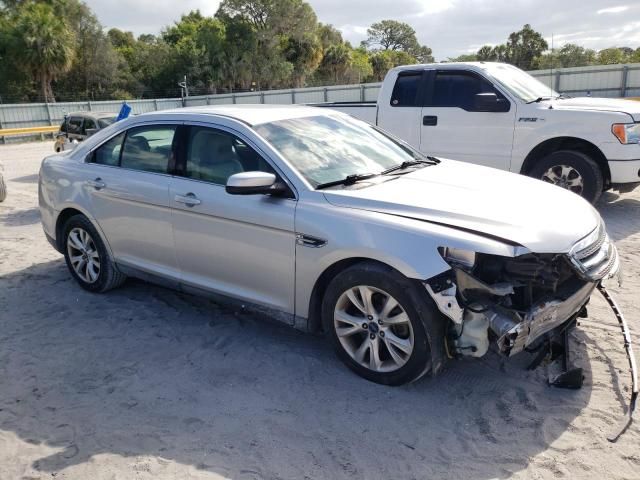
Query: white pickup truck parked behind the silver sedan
{"x": 497, "y": 115}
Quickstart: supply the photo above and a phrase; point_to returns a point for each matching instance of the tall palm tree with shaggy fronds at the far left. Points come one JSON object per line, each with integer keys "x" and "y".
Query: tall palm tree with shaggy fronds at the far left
{"x": 46, "y": 42}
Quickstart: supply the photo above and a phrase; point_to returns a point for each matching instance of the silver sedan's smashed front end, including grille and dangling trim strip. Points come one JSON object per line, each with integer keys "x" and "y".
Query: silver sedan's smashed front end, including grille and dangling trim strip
{"x": 529, "y": 302}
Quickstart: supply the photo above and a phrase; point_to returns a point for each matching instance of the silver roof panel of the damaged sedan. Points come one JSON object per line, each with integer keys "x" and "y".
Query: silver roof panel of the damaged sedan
{"x": 249, "y": 114}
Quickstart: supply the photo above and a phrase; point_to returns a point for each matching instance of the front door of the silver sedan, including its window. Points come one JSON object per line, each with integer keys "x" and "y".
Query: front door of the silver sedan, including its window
{"x": 241, "y": 246}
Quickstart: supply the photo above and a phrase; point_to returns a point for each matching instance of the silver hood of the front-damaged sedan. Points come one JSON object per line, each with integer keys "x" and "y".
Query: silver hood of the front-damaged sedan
{"x": 539, "y": 216}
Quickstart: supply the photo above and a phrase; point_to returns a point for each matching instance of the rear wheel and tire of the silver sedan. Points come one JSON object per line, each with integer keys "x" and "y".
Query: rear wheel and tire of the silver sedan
{"x": 81, "y": 239}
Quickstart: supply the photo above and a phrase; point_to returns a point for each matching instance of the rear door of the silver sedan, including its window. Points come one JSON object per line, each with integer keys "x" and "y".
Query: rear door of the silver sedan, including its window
{"x": 128, "y": 179}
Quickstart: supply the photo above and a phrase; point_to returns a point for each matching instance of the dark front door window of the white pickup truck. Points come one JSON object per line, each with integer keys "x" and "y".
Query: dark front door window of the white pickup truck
{"x": 458, "y": 89}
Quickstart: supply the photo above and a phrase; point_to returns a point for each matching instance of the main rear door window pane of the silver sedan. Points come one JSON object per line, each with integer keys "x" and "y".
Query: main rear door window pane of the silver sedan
{"x": 148, "y": 149}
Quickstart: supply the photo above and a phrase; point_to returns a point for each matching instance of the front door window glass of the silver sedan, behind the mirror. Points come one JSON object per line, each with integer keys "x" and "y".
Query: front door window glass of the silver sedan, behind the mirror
{"x": 214, "y": 155}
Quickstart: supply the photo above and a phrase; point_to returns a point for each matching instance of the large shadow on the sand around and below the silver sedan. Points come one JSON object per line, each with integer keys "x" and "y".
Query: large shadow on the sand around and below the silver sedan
{"x": 145, "y": 371}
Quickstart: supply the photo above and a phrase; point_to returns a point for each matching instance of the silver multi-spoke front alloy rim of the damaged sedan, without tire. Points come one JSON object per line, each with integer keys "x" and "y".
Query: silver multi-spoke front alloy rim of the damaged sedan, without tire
{"x": 373, "y": 328}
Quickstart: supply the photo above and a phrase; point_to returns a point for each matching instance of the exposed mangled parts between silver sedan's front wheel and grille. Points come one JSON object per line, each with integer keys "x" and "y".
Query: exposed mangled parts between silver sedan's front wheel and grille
{"x": 513, "y": 301}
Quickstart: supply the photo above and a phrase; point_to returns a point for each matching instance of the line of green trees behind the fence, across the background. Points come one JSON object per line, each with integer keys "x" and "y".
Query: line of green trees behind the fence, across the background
{"x": 57, "y": 50}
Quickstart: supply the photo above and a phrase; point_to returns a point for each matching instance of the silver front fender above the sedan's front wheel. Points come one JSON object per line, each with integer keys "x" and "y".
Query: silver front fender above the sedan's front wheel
{"x": 409, "y": 246}
